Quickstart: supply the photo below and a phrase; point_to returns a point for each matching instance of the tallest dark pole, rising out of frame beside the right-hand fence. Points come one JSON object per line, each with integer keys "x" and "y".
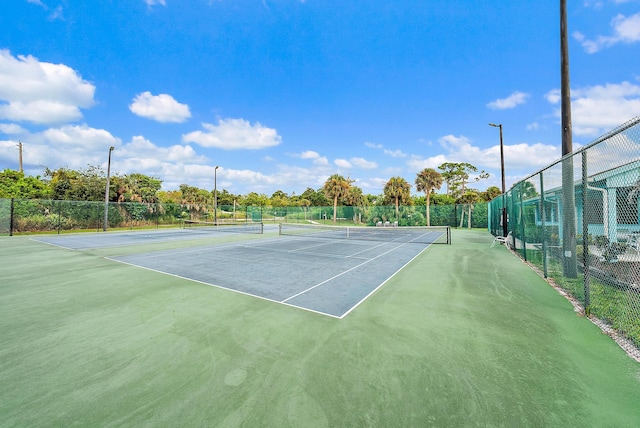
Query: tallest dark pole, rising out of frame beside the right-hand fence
{"x": 569, "y": 263}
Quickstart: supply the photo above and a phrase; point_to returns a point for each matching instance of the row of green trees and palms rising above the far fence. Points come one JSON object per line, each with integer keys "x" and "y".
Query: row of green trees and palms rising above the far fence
{"x": 89, "y": 185}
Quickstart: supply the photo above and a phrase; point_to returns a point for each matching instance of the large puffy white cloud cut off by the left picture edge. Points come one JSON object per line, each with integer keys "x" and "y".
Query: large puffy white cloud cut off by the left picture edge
{"x": 41, "y": 92}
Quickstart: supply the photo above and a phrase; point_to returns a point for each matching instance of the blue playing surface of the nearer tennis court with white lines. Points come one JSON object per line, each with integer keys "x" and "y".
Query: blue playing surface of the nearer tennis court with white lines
{"x": 327, "y": 276}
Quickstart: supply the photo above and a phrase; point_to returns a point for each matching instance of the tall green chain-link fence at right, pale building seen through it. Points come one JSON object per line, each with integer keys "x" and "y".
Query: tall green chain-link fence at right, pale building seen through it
{"x": 578, "y": 221}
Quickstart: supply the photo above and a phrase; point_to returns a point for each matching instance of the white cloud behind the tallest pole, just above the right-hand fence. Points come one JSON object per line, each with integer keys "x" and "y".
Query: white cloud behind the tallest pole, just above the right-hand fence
{"x": 598, "y": 109}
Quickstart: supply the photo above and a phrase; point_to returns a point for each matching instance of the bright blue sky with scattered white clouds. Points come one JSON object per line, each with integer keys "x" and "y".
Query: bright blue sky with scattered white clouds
{"x": 280, "y": 94}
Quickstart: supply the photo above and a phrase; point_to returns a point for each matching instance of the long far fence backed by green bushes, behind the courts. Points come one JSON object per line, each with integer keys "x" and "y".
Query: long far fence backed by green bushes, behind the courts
{"x": 21, "y": 216}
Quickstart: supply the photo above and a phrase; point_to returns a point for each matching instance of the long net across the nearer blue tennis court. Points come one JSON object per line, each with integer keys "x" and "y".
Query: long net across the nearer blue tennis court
{"x": 414, "y": 234}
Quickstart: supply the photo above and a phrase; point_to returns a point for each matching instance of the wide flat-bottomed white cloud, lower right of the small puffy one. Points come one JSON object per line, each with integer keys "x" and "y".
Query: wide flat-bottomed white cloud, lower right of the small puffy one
{"x": 234, "y": 134}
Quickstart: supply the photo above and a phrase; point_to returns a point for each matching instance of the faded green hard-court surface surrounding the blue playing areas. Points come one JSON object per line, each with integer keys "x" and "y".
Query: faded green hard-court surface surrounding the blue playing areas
{"x": 464, "y": 335}
